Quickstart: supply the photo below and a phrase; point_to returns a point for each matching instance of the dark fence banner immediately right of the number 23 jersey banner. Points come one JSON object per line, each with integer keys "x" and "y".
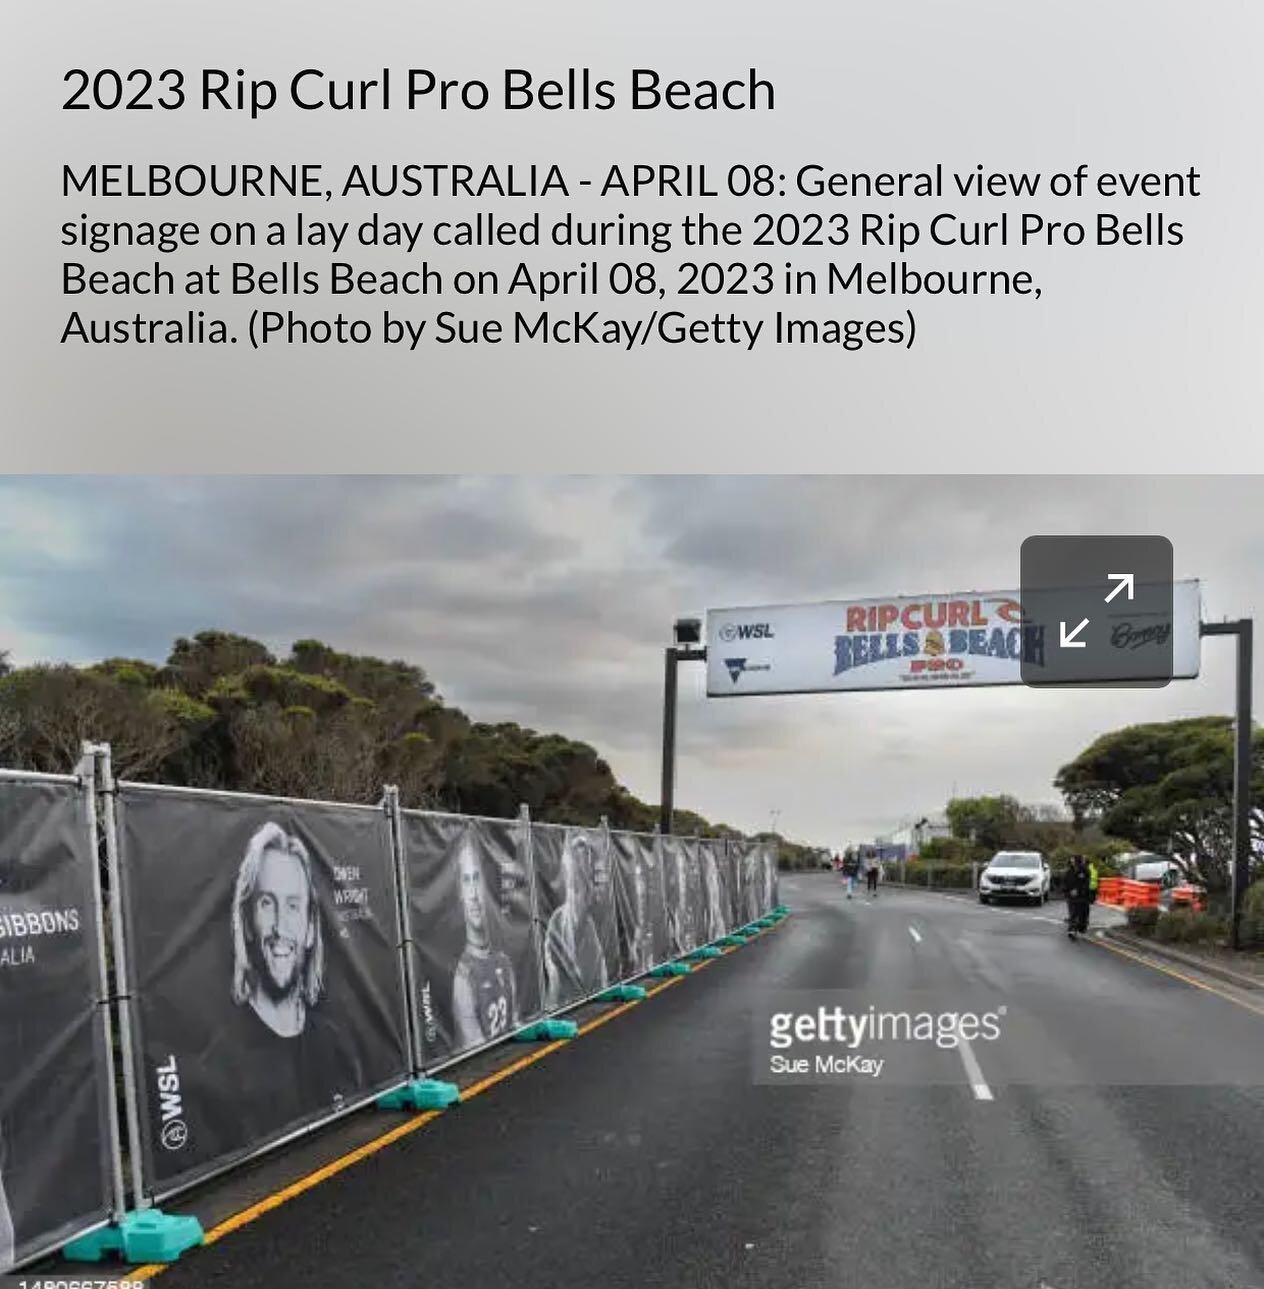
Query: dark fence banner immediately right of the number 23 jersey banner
{"x": 575, "y": 909}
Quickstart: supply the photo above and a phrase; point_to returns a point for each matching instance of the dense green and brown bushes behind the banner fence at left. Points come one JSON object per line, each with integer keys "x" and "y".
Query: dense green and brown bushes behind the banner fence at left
{"x": 224, "y": 712}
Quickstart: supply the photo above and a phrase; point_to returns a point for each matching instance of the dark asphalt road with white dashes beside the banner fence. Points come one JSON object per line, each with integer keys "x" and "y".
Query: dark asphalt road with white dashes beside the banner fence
{"x": 1119, "y": 1144}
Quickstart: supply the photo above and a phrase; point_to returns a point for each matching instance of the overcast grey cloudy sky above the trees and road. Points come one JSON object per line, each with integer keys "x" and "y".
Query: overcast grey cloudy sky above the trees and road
{"x": 548, "y": 601}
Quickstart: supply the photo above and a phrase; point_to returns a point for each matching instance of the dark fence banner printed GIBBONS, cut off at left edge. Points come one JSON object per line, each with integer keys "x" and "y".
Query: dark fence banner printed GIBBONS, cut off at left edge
{"x": 55, "y": 1086}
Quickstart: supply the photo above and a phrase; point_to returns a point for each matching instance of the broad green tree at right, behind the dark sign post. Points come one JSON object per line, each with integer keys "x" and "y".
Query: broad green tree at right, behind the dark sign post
{"x": 1169, "y": 788}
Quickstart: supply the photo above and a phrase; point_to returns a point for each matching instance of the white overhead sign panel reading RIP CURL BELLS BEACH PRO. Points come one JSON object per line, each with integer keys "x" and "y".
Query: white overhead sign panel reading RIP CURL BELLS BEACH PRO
{"x": 917, "y": 643}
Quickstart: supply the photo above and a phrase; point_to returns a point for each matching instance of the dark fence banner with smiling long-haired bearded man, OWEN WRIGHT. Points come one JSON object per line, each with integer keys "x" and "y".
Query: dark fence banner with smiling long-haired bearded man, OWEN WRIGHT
{"x": 263, "y": 951}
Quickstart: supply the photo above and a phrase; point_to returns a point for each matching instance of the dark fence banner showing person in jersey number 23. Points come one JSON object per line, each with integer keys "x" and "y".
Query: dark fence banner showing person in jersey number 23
{"x": 476, "y": 960}
